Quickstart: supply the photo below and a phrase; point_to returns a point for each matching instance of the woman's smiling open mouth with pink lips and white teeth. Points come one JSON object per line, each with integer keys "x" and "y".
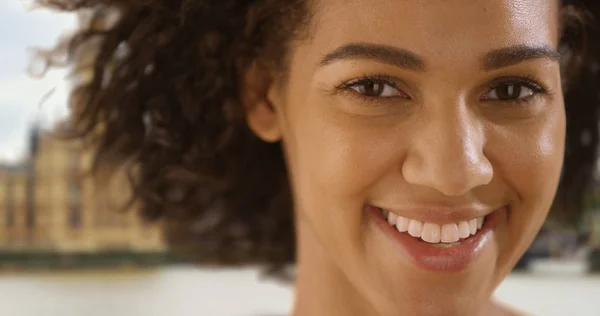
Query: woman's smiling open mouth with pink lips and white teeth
{"x": 452, "y": 245}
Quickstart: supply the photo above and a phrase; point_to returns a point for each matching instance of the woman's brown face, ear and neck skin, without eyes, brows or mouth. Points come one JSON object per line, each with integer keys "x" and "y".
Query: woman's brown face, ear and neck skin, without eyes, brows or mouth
{"x": 440, "y": 143}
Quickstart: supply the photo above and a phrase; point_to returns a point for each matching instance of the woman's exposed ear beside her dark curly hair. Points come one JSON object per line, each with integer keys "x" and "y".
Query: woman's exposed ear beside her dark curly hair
{"x": 261, "y": 113}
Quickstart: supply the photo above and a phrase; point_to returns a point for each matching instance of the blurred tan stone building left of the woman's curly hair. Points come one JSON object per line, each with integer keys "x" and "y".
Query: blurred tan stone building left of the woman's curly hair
{"x": 49, "y": 203}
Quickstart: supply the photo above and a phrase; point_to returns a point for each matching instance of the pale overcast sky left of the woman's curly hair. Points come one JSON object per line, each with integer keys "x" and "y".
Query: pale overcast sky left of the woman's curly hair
{"x": 21, "y": 29}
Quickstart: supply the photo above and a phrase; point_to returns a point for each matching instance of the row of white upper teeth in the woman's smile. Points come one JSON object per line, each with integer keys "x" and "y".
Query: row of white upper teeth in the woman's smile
{"x": 444, "y": 235}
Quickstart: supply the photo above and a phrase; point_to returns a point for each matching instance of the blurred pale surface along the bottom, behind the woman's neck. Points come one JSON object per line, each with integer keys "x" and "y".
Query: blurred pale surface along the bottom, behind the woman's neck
{"x": 553, "y": 289}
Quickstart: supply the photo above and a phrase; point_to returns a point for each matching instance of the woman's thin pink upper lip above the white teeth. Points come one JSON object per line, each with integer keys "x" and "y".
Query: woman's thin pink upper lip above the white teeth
{"x": 442, "y": 214}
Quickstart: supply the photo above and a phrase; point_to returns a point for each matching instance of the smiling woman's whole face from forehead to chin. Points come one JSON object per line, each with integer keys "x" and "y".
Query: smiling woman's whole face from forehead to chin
{"x": 438, "y": 112}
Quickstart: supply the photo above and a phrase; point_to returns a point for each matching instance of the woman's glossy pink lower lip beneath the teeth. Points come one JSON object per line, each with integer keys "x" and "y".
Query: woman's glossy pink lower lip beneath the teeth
{"x": 432, "y": 258}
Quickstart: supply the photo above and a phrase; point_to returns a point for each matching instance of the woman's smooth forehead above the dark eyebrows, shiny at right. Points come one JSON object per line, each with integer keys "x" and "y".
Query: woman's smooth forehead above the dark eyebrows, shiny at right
{"x": 439, "y": 30}
